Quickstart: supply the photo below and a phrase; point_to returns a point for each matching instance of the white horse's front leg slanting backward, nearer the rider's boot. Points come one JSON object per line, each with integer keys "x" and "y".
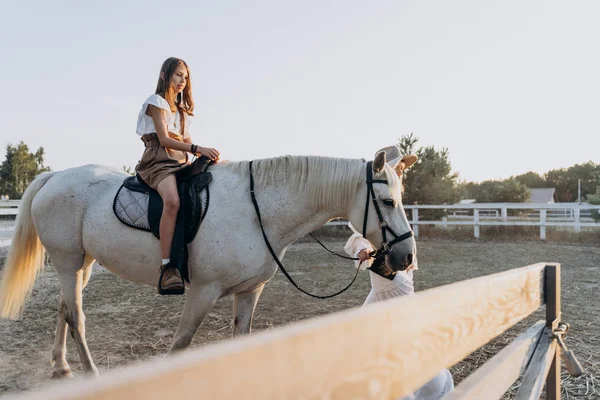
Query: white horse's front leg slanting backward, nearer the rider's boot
{"x": 200, "y": 300}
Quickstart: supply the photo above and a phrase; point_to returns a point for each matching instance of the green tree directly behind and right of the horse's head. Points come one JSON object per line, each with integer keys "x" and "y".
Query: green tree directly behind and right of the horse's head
{"x": 431, "y": 180}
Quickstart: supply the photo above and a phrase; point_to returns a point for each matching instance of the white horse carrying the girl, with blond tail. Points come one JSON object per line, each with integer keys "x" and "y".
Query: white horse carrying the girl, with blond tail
{"x": 69, "y": 215}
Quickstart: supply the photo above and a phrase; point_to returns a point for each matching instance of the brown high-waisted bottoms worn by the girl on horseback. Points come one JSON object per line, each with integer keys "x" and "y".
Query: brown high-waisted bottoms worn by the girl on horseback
{"x": 157, "y": 162}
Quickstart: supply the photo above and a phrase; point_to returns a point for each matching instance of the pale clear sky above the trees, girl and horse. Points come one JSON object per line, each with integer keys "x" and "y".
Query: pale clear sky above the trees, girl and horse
{"x": 507, "y": 86}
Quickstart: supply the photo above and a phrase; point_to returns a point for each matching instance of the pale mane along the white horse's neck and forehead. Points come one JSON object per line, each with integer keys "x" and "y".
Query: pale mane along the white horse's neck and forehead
{"x": 325, "y": 181}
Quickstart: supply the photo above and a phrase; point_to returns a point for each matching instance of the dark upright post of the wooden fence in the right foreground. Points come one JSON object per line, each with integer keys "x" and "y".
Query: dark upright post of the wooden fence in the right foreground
{"x": 552, "y": 291}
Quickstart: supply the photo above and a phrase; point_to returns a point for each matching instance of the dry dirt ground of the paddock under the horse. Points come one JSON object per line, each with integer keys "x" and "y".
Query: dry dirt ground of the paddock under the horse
{"x": 127, "y": 323}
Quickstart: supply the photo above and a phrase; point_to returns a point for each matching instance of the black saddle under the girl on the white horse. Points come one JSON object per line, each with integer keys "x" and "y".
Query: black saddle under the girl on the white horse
{"x": 191, "y": 181}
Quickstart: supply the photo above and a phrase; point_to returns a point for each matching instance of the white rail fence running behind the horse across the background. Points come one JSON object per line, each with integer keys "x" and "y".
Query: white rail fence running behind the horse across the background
{"x": 566, "y": 215}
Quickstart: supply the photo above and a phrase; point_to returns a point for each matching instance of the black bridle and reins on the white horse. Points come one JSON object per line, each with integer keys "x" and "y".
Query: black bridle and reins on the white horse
{"x": 379, "y": 254}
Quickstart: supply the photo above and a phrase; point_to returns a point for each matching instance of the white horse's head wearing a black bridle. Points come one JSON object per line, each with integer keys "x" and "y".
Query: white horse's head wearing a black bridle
{"x": 378, "y": 212}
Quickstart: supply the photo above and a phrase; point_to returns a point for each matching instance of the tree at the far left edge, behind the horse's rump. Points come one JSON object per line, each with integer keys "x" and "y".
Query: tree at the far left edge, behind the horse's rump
{"x": 20, "y": 168}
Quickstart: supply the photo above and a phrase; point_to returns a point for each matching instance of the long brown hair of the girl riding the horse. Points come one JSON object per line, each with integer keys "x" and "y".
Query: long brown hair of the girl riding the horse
{"x": 181, "y": 102}
